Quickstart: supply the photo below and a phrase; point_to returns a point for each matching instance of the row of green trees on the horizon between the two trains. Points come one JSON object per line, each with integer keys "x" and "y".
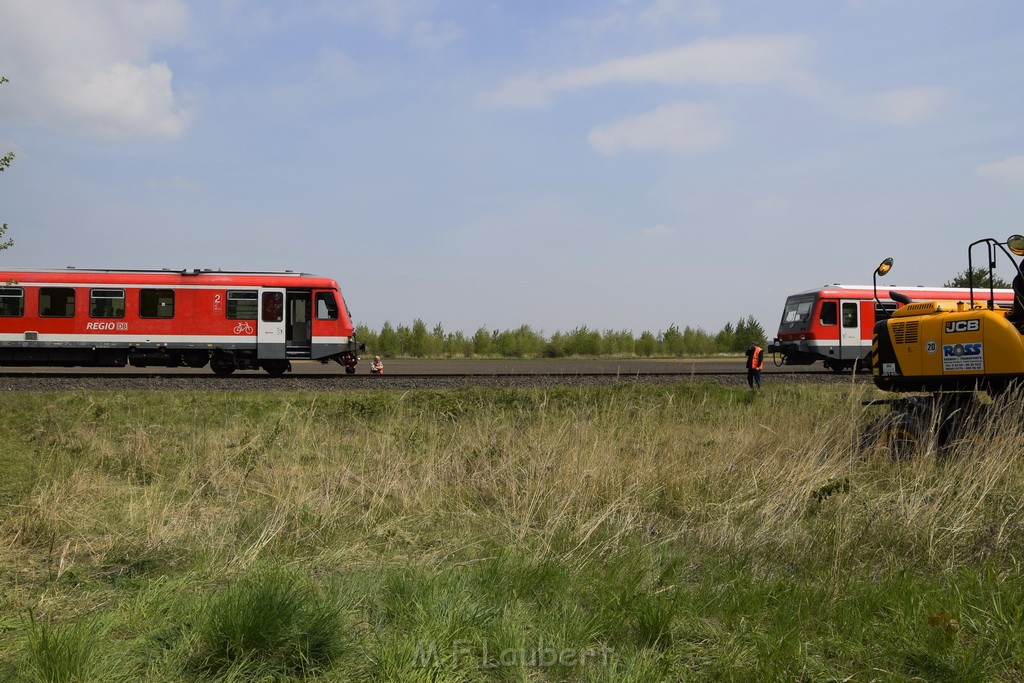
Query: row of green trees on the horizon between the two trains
{"x": 419, "y": 341}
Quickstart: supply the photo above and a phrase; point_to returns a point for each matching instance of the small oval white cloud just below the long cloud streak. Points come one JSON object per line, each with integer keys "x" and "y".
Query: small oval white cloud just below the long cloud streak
{"x": 680, "y": 129}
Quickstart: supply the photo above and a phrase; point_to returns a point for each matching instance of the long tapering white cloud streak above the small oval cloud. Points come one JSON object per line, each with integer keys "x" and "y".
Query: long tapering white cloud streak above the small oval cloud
{"x": 744, "y": 61}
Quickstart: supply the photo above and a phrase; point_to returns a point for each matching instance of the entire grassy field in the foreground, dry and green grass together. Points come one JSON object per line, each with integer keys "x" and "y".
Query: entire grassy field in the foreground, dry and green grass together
{"x": 634, "y": 534}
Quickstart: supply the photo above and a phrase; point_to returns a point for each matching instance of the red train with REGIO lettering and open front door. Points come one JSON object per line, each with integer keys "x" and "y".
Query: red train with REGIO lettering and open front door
{"x": 230, "y": 320}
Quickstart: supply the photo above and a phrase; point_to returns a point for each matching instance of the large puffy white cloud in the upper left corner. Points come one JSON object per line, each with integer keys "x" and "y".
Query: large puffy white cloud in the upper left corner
{"x": 84, "y": 66}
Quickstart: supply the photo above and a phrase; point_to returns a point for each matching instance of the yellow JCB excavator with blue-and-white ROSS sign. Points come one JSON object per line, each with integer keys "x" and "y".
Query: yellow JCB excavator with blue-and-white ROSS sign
{"x": 950, "y": 355}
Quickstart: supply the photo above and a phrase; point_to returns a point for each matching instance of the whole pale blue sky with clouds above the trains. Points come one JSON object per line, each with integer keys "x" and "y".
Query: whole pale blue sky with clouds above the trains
{"x": 616, "y": 164}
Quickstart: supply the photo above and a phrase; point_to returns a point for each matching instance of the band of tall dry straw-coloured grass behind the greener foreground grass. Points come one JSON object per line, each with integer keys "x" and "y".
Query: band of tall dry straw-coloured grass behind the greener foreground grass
{"x": 306, "y": 474}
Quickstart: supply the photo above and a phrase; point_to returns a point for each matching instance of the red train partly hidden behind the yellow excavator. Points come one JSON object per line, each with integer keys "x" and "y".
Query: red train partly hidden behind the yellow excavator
{"x": 835, "y": 324}
